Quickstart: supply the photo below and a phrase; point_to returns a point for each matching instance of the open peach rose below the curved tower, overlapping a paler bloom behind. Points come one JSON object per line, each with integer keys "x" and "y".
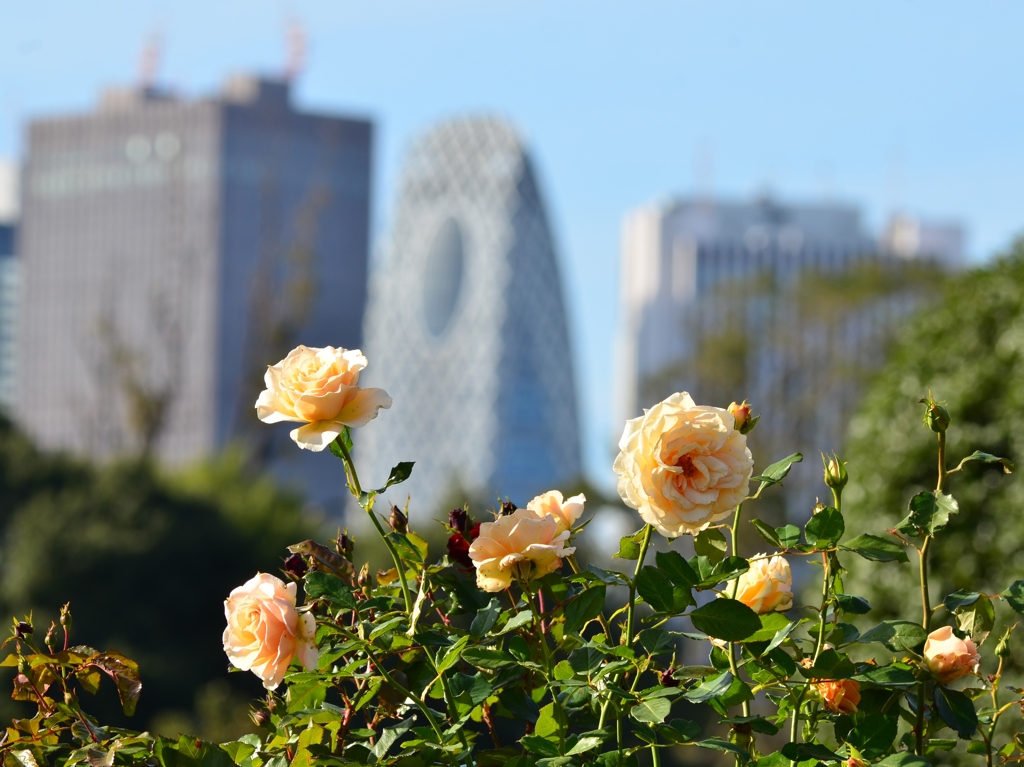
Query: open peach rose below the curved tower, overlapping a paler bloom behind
{"x": 518, "y": 544}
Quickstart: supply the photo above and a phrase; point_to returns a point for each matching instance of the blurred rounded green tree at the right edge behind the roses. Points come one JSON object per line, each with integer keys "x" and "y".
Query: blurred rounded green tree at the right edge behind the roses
{"x": 969, "y": 350}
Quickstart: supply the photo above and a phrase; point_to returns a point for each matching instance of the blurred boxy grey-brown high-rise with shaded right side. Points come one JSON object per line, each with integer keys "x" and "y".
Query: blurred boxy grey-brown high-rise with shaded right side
{"x": 172, "y": 249}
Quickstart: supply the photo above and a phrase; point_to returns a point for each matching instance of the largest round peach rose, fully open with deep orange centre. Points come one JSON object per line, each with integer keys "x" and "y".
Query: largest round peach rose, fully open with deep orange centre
{"x": 684, "y": 467}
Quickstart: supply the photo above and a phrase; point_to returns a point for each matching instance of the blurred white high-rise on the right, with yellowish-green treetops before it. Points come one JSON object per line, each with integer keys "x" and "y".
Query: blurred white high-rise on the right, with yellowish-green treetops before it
{"x": 790, "y": 306}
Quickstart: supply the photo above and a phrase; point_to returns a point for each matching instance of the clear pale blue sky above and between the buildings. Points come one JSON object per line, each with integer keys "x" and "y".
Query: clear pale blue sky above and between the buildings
{"x": 912, "y": 105}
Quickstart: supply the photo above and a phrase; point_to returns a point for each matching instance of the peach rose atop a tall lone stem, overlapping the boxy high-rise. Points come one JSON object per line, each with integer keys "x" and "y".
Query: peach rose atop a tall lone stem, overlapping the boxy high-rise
{"x": 320, "y": 389}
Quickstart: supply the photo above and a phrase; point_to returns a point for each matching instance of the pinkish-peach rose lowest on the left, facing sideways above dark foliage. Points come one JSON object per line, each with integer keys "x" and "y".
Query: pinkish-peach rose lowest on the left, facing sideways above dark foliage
{"x": 265, "y": 631}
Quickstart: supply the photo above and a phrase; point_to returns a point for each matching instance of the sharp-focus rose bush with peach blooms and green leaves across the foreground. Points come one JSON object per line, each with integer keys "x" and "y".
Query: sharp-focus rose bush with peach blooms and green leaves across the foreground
{"x": 419, "y": 665}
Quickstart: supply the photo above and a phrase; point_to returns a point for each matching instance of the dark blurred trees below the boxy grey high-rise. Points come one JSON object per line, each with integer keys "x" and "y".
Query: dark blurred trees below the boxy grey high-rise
{"x": 146, "y": 558}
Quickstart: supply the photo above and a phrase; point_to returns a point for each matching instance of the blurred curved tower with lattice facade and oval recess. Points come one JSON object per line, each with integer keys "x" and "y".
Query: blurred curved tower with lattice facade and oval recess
{"x": 467, "y": 329}
